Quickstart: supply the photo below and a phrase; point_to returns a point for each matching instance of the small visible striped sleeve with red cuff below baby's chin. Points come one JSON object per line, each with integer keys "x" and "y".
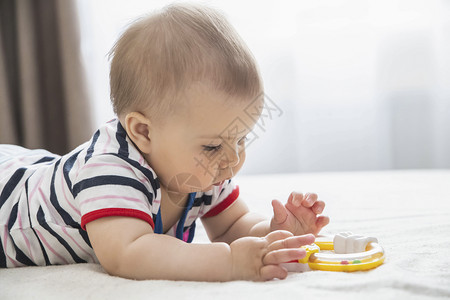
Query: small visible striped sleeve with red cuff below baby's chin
{"x": 222, "y": 198}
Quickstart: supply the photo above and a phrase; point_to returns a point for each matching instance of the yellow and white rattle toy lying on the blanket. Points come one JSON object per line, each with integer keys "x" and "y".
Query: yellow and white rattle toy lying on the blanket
{"x": 346, "y": 252}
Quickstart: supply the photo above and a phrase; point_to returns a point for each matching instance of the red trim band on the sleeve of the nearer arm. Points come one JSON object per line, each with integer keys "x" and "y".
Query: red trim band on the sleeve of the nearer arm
{"x": 121, "y": 212}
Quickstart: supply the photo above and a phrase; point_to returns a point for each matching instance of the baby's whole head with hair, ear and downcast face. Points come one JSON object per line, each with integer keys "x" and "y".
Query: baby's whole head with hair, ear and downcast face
{"x": 179, "y": 78}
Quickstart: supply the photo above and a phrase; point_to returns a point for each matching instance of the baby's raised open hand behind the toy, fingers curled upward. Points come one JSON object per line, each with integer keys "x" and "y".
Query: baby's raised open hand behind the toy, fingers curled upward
{"x": 299, "y": 215}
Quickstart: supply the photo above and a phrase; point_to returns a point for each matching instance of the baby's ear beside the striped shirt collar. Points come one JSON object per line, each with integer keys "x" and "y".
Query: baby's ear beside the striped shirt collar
{"x": 138, "y": 128}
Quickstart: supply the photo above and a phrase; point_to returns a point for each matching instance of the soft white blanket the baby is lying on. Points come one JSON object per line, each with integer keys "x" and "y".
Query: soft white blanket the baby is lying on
{"x": 408, "y": 211}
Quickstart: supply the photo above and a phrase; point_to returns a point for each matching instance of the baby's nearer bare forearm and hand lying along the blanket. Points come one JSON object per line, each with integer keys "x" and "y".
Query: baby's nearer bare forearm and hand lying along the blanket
{"x": 127, "y": 247}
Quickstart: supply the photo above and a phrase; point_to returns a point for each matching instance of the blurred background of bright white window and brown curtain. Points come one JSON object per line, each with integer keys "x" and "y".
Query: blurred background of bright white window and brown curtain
{"x": 359, "y": 85}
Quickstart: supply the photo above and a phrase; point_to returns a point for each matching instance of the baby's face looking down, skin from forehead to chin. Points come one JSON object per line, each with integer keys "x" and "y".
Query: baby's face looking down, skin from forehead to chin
{"x": 204, "y": 145}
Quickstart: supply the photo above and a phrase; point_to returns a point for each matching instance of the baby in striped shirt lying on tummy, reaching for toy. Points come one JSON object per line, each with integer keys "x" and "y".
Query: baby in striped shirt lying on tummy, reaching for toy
{"x": 182, "y": 86}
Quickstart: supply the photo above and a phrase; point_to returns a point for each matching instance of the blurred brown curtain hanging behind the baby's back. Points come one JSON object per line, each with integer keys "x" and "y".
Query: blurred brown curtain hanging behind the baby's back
{"x": 44, "y": 101}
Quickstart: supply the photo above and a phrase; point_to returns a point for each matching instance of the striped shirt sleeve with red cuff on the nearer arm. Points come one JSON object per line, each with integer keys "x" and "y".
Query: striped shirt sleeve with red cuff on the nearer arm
{"x": 108, "y": 185}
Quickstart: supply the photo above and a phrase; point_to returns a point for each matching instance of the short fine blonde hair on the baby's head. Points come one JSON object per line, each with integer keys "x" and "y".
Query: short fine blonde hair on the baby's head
{"x": 160, "y": 55}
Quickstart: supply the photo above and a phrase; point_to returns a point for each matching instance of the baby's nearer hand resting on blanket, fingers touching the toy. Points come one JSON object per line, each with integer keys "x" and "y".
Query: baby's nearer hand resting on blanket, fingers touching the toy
{"x": 259, "y": 258}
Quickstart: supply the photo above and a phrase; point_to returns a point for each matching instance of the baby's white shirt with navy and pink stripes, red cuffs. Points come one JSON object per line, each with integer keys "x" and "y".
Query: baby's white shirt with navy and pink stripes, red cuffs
{"x": 46, "y": 200}
